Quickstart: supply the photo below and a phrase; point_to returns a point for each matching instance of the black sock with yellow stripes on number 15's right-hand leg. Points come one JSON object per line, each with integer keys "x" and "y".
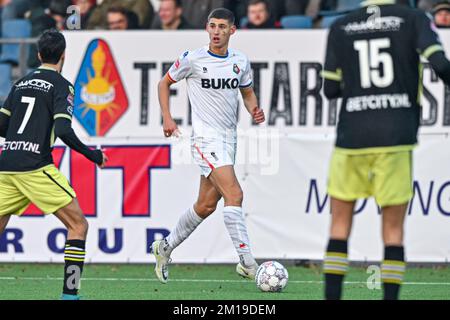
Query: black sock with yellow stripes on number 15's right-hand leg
{"x": 392, "y": 271}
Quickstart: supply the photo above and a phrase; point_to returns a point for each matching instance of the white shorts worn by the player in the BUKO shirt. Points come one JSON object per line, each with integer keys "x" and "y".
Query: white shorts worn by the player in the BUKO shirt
{"x": 210, "y": 153}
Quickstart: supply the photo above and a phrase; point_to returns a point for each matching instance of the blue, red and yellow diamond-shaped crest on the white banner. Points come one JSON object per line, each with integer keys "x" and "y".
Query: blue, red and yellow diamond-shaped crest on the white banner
{"x": 100, "y": 97}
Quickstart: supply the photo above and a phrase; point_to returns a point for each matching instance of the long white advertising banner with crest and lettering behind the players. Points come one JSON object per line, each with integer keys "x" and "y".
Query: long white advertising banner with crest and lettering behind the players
{"x": 282, "y": 165}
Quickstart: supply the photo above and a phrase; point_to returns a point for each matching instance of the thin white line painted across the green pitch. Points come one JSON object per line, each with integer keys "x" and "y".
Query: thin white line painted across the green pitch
{"x": 204, "y": 280}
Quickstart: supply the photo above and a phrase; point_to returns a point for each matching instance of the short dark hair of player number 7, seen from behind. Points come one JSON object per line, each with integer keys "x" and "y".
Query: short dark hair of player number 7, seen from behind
{"x": 51, "y": 45}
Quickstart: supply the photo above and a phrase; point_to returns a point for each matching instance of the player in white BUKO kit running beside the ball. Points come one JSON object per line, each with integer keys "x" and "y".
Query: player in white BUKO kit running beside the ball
{"x": 214, "y": 74}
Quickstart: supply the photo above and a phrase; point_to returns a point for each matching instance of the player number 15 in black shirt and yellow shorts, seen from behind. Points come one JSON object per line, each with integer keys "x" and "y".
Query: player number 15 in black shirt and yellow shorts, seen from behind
{"x": 373, "y": 63}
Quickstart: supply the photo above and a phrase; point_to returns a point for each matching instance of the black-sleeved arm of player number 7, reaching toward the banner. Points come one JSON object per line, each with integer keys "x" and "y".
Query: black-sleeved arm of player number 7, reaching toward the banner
{"x": 63, "y": 110}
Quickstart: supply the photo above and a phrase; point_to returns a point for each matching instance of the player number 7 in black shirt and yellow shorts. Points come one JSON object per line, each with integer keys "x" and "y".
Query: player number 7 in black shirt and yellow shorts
{"x": 38, "y": 109}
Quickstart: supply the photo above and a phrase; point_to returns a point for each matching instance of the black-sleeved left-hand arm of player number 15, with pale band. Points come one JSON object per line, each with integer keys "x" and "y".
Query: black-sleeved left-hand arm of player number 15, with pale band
{"x": 332, "y": 72}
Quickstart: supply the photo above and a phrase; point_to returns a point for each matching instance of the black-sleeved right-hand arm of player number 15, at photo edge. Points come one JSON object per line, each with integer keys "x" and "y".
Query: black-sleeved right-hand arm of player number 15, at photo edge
{"x": 430, "y": 47}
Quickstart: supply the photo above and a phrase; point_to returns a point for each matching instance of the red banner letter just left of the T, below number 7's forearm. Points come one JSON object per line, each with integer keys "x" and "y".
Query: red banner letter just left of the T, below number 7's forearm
{"x": 83, "y": 177}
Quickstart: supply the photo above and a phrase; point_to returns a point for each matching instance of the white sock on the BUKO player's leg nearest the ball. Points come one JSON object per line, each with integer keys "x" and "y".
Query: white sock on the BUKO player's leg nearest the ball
{"x": 234, "y": 221}
